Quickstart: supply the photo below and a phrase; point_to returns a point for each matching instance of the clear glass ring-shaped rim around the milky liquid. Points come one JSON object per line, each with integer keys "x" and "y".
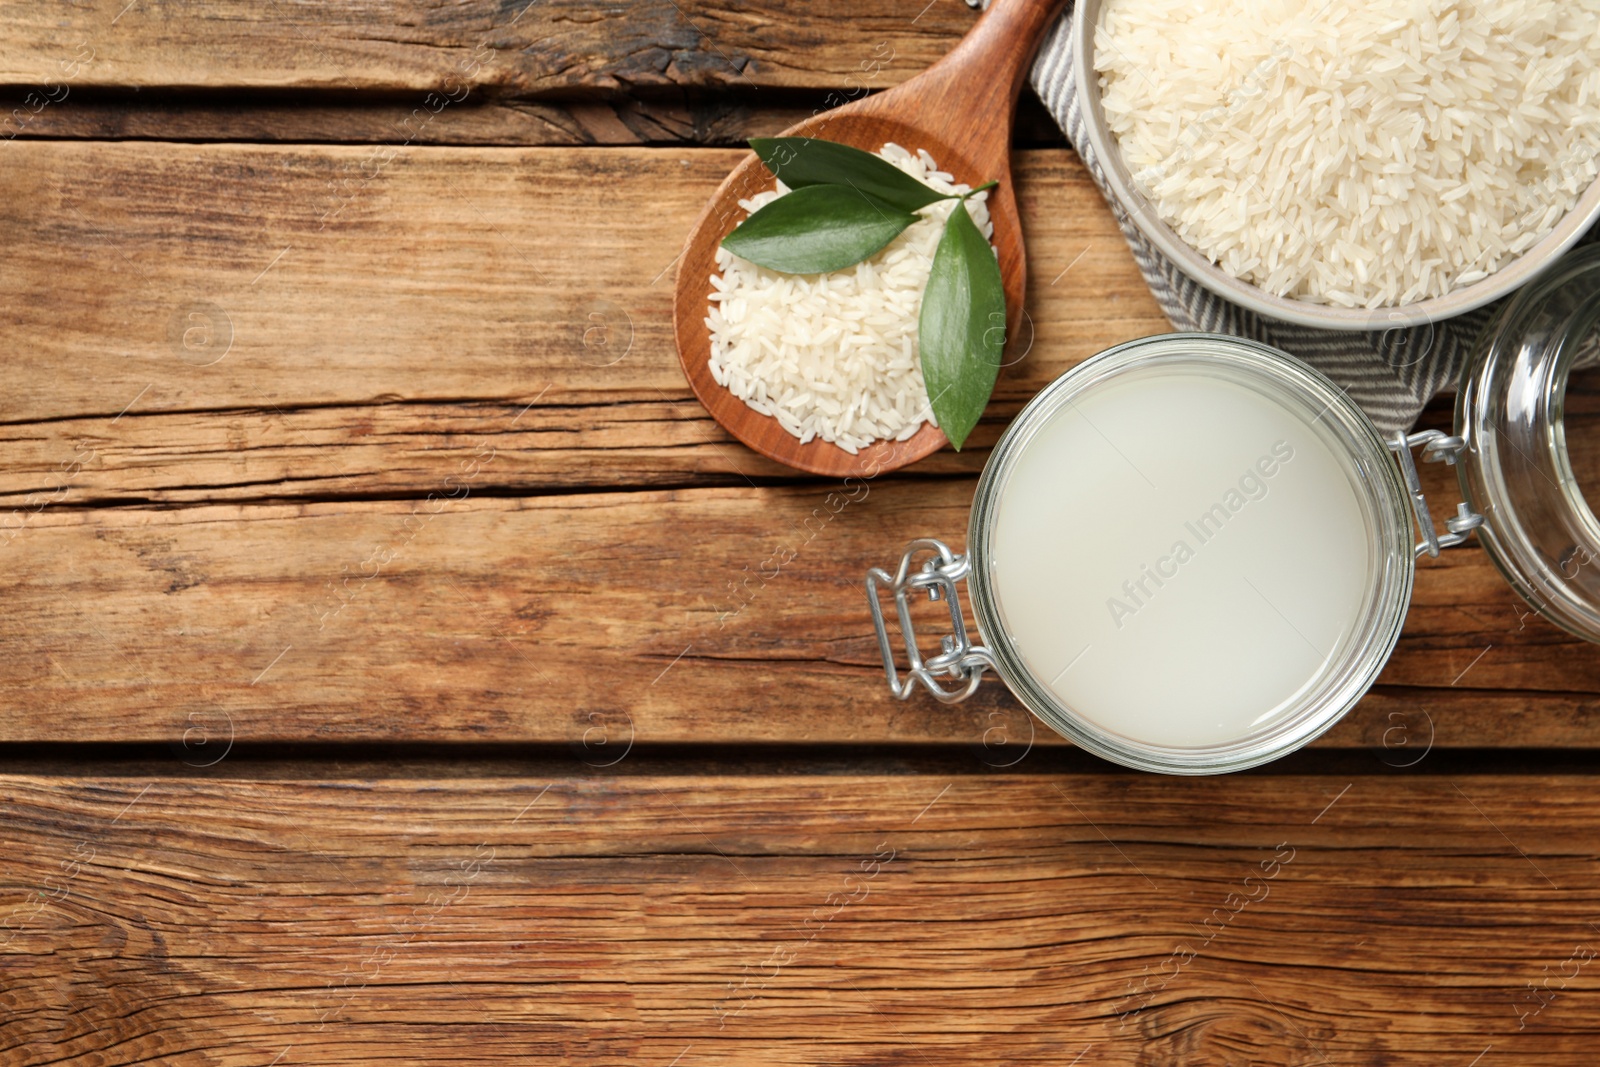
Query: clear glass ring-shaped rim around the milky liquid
{"x": 1386, "y": 506}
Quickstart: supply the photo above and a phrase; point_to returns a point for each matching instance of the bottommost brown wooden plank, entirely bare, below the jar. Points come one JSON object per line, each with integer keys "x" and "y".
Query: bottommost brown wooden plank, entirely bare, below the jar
{"x": 801, "y": 921}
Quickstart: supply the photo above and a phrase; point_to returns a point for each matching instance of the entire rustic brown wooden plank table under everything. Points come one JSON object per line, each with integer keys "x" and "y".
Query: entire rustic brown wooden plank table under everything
{"x": 394, "y": 668}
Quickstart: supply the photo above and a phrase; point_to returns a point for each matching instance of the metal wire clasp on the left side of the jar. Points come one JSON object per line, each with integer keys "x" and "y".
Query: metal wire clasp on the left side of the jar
{"x": 959, "y": 658}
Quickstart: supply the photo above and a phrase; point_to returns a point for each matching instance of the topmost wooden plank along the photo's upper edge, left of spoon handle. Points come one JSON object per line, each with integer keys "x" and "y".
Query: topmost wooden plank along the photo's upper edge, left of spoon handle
{"x": 535, "y": 47}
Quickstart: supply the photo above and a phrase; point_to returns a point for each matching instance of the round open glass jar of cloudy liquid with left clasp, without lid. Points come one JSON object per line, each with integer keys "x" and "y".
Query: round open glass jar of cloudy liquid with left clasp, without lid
{"x": 1190, "y": 554}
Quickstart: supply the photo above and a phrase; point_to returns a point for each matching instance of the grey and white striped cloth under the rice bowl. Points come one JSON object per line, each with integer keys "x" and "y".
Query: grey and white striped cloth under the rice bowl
{"x": 1390, "y": 374}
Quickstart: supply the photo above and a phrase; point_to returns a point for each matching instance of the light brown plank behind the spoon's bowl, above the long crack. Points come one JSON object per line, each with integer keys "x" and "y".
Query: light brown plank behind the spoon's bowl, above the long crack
{"x": 250, "y": 279}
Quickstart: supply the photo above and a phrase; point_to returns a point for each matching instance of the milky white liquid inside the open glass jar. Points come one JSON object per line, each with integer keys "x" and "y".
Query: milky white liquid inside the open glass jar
{"x": 1222, "y": 623}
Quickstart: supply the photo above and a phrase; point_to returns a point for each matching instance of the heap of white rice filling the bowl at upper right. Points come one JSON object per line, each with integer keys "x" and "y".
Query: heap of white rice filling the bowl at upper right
{"x": 1356, "y": 153}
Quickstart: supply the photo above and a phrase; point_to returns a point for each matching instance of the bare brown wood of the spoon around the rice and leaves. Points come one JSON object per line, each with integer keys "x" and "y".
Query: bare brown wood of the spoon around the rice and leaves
{"x": 959, "y": 111}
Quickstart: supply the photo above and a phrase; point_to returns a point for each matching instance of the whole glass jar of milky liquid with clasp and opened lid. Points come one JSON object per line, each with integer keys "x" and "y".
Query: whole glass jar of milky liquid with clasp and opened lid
{"x": 1193, "y": 554}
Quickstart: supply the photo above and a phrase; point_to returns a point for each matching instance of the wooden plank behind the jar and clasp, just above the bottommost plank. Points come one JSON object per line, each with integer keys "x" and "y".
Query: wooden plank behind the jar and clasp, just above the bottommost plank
{"x": 730, "y": 615}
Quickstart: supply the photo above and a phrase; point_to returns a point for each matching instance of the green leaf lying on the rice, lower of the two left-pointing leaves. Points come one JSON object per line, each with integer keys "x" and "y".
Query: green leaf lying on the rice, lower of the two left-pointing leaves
{"x": 817, "y": 230}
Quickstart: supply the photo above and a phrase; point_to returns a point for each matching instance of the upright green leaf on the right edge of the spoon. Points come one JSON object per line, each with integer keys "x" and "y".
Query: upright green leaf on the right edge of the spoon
{"x": 962, "y": 329}
